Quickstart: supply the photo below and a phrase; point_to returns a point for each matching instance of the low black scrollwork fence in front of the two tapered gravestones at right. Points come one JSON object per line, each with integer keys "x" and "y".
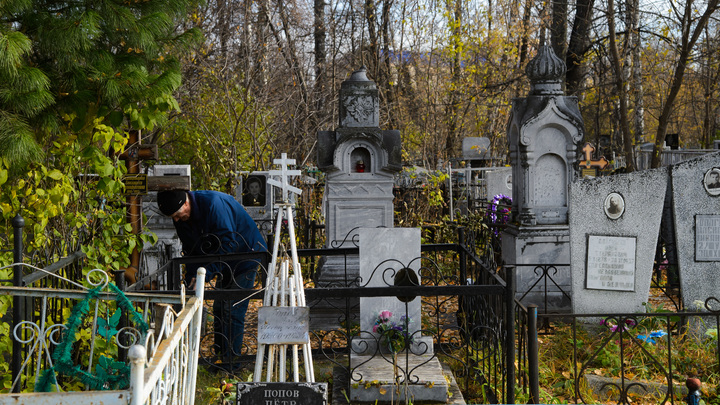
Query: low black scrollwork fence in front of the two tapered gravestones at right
{"x": 630, "y": 358}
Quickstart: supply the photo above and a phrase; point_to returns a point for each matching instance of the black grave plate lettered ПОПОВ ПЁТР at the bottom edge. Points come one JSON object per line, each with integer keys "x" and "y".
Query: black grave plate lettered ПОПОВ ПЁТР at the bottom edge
{"x": 271, "y": 393}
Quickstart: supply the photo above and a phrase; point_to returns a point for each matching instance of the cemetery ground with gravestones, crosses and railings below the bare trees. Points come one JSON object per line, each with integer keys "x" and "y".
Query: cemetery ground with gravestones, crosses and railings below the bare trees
{"x": 540, "y": 285}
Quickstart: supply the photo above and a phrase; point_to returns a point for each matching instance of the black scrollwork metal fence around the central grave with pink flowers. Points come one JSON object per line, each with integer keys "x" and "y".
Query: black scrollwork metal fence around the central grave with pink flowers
{"x": 468, "y": 314}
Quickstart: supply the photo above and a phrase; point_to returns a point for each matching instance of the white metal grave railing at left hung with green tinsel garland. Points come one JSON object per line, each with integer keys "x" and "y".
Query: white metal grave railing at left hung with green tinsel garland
{"x": 114, "y": 347}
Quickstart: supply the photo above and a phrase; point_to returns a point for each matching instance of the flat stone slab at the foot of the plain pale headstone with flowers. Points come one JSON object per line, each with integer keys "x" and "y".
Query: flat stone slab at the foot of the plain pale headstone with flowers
{"x": 377, "y": 379}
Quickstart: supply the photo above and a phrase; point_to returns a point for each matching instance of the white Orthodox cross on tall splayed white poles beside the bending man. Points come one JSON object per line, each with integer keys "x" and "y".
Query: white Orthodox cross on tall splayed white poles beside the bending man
{"x": 284, "y": 291}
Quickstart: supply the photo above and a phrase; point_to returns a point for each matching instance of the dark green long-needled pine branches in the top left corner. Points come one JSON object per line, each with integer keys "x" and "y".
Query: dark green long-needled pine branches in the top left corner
{"x": 66, "y": 66}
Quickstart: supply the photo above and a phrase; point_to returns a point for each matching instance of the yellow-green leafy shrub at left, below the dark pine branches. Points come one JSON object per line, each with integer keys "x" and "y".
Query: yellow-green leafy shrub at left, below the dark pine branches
{"x": 74, "y": 198}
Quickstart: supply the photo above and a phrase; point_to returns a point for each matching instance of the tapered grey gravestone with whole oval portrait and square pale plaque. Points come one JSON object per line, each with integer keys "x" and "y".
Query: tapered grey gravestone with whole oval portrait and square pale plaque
{"x": 637, "y": 217}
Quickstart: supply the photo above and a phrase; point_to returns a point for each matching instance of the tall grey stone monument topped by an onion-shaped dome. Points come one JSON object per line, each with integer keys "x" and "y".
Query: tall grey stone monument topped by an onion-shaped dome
{"x": 544, "y": 132}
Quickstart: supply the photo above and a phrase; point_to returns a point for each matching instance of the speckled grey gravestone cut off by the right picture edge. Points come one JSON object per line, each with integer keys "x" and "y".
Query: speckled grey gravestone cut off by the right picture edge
{"x": 691, "y": 198}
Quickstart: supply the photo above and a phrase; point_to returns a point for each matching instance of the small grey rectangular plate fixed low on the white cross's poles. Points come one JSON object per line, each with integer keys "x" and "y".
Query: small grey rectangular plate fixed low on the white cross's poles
{"x": 283, "y": 325}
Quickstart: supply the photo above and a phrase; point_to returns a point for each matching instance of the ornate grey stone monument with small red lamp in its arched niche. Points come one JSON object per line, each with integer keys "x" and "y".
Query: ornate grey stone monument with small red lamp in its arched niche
{"x": 360, "y": 160}
